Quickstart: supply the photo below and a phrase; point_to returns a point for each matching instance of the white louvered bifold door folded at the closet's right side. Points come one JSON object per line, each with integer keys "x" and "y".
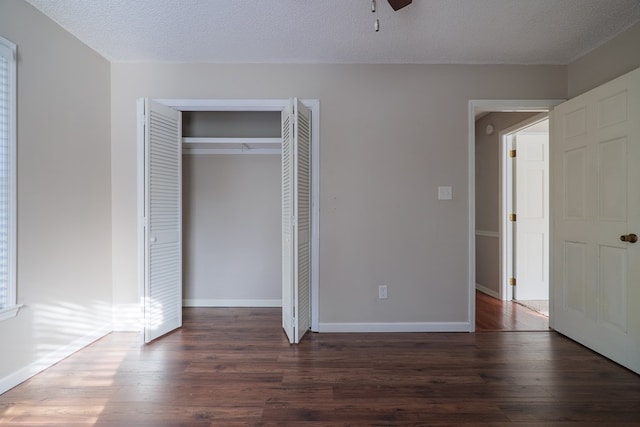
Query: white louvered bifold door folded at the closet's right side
{"x": 296, "y": 220}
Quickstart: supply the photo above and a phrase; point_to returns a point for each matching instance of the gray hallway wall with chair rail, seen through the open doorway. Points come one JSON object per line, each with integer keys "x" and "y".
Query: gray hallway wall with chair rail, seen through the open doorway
{"x": 487, "y": 196}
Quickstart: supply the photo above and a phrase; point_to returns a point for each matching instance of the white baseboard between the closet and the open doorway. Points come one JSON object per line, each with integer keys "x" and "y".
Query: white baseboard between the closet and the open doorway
{"x": 396, "y": 327}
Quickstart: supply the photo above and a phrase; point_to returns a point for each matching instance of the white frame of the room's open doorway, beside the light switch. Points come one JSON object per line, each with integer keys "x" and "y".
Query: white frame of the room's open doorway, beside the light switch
{"x": 475, "y": 107}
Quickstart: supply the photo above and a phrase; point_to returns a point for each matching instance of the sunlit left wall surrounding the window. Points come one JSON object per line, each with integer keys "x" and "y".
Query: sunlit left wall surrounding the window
{"x": 64, "y": 195}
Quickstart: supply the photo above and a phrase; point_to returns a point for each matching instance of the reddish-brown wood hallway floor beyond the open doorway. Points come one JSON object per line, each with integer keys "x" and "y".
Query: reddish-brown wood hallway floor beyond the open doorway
{"x": 495, "y": 315}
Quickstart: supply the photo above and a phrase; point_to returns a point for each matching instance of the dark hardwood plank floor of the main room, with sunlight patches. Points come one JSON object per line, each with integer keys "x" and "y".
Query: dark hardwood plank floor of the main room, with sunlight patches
{"x": 234, "y": 367}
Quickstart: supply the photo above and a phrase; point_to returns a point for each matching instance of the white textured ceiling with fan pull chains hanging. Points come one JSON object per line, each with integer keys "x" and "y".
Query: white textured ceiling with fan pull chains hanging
{"x": 333, "y": 31}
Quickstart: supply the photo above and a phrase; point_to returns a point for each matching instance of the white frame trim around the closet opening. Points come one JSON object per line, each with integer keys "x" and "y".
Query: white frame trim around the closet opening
{"x": 253, "y": 105}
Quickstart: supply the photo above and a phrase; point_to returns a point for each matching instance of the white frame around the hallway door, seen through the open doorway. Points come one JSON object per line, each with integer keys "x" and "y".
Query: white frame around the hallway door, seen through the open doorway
{"x": 505, "y": 198}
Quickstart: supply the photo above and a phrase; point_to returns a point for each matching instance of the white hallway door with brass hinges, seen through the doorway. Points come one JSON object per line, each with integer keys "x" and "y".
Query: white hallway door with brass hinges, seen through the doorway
{"x": 532, "y": 224}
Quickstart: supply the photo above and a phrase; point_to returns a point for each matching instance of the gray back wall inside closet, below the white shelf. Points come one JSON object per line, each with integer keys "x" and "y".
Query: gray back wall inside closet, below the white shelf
{"x": 232, "y": 230}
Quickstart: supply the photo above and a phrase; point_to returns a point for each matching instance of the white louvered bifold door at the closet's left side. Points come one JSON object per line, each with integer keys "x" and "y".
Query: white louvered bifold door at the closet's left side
{"x": 163, "y": 218}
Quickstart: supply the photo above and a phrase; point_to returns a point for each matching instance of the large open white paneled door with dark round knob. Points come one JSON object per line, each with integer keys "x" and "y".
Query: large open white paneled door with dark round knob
{"x": 596, "y": 275}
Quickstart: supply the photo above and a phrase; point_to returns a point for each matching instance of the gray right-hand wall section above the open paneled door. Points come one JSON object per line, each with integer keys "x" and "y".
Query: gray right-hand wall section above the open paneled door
{"x": 613, "y": 59}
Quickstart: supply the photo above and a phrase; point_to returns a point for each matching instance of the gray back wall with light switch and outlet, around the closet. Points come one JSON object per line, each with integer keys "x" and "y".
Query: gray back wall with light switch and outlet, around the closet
{"x": 390, "y": 135}
